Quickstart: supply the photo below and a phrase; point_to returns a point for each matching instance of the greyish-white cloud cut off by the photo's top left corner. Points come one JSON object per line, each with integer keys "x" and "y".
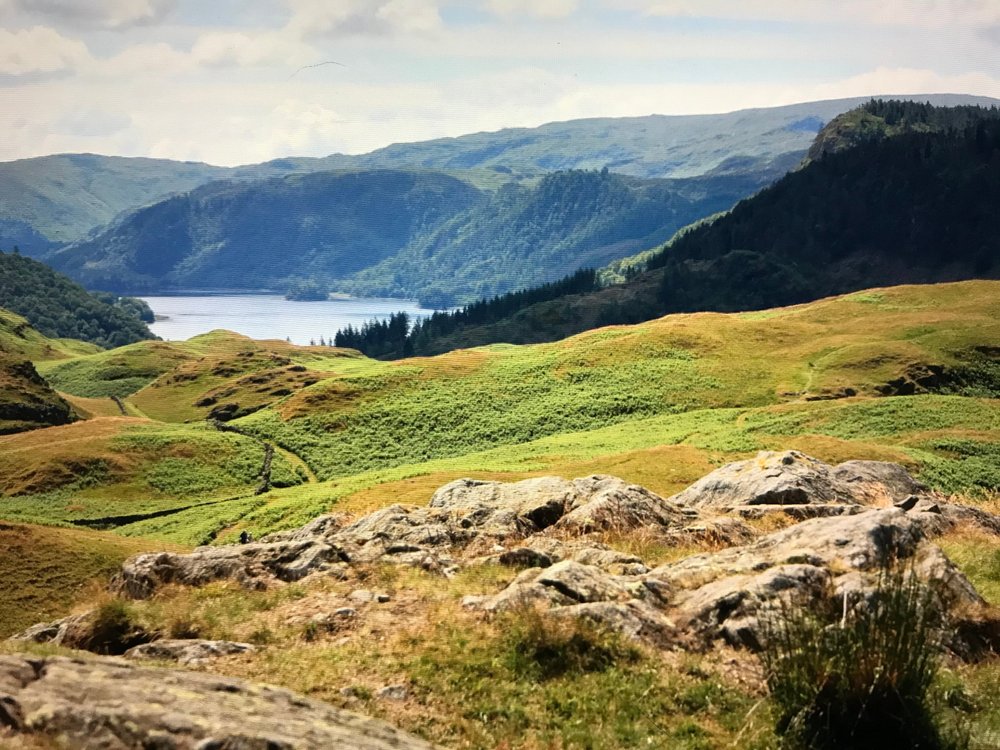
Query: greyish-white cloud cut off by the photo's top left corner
{"x": 109, "y": 14}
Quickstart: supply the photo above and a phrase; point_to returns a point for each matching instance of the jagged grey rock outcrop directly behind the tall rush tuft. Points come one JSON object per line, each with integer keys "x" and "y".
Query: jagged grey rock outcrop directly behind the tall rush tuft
{"x": 728, "y": 595}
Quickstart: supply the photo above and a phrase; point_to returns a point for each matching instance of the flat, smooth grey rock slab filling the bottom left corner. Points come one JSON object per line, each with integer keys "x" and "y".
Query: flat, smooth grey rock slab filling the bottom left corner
{"x": 110, "y": 704}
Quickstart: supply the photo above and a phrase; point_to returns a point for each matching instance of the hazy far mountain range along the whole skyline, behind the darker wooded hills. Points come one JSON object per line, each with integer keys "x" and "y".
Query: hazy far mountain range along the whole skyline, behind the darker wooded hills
{"x": 51, "y": 200}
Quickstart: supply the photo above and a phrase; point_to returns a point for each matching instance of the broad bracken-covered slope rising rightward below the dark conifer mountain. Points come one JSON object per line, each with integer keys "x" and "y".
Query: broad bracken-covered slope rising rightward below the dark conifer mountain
{"x": 473, "y": 400}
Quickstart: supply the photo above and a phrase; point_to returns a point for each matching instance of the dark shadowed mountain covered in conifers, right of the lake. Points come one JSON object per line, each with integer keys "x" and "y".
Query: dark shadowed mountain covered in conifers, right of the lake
{"x": 910, "y": 202}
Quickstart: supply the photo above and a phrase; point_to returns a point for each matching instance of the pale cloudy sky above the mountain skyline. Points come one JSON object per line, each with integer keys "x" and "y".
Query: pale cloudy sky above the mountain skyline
{"x": 242, "y": 81}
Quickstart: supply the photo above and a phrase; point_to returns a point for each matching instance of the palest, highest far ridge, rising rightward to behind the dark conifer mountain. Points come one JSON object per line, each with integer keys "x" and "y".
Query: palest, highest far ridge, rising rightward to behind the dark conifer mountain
{"x": 747, "y": 141}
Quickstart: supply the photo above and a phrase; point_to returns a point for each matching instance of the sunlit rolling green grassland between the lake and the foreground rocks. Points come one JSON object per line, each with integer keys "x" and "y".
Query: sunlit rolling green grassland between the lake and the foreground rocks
{"x": 659, "y": 404}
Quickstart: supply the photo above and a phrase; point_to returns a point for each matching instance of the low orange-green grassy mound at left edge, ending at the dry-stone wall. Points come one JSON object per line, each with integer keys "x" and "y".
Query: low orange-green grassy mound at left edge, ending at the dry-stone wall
{"x": 121, "y": 466}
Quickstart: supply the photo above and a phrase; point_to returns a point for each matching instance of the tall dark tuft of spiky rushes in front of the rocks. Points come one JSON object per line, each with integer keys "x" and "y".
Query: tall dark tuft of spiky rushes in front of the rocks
{"x": 858, "y": 679}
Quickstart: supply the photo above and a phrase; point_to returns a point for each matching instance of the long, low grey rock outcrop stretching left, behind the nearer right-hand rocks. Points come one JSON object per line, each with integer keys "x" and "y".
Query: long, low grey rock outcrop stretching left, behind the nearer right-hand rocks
{"x": 466, "y": 517}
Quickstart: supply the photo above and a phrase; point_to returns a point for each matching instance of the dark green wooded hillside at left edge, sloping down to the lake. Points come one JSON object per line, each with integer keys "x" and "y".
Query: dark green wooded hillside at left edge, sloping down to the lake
{"x": 60, "y": 308}
